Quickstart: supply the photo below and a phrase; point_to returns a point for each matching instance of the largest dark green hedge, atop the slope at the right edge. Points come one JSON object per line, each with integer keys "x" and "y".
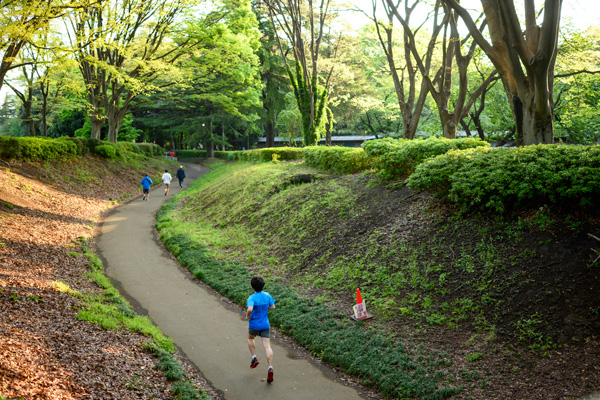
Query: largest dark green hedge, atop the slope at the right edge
{"x": 514, "y": 178}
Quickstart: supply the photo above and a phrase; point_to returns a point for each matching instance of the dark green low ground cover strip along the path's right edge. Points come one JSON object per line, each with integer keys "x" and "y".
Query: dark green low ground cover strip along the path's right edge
{"x": 326, "y": 332}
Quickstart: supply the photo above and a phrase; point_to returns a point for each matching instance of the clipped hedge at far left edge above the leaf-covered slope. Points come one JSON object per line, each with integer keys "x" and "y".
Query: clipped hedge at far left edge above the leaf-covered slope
{"x": 36, "y": 148}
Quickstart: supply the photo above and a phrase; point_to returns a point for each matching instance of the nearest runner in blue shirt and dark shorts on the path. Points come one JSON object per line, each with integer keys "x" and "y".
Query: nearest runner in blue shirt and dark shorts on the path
{"x": 257, "y": 313}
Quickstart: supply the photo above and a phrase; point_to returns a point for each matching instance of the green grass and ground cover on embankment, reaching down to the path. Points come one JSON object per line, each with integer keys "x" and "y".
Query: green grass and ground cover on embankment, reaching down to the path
{"x": 421, "y": 268}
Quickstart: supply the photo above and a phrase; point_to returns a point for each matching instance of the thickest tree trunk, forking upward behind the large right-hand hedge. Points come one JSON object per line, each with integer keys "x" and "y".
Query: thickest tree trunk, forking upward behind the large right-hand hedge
{"x": 524, "y": 58}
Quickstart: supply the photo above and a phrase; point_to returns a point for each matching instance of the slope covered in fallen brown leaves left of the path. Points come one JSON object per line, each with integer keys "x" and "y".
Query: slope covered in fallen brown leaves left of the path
{"x": 45, "y": 352}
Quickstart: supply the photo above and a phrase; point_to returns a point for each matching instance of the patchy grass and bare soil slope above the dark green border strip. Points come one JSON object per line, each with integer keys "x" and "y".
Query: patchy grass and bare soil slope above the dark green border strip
{"x": 512, "y": 301}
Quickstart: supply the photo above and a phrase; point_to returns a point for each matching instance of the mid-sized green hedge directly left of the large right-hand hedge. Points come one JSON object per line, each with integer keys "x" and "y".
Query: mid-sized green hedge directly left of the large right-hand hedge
{"x": 398, "y": 158}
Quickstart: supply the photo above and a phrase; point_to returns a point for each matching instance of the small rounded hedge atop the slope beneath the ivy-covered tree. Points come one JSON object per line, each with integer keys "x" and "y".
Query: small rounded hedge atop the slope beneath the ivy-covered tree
{"x": 337, "y": 159}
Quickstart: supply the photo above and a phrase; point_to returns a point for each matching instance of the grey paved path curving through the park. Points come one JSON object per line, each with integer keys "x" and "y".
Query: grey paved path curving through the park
{"x": 211, "y": 333}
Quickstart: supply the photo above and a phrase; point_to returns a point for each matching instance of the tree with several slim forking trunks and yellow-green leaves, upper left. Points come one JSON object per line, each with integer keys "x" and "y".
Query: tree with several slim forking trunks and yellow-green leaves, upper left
{"x": 119, "y": 45}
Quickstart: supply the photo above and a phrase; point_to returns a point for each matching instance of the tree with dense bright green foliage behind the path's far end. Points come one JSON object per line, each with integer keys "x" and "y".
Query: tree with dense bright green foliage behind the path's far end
{"x": 221, "y": 74}
